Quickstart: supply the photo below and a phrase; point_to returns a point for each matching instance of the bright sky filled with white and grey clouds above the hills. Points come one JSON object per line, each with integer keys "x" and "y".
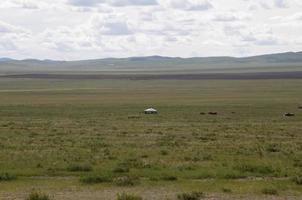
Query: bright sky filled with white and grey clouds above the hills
{"x": 89, "y": 29}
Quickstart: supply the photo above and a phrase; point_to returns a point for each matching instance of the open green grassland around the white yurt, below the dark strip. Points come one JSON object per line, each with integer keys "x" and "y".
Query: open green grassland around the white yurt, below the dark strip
{"x": 88, "y": 139}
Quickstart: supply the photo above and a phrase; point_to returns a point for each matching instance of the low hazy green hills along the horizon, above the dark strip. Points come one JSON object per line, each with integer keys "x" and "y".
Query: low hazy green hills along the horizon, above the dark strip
{"x": 289, "y": 61}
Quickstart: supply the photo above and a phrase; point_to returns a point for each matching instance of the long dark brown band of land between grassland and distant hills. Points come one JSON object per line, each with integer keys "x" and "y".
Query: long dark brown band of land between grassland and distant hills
{"x": 203, "y": 76}
